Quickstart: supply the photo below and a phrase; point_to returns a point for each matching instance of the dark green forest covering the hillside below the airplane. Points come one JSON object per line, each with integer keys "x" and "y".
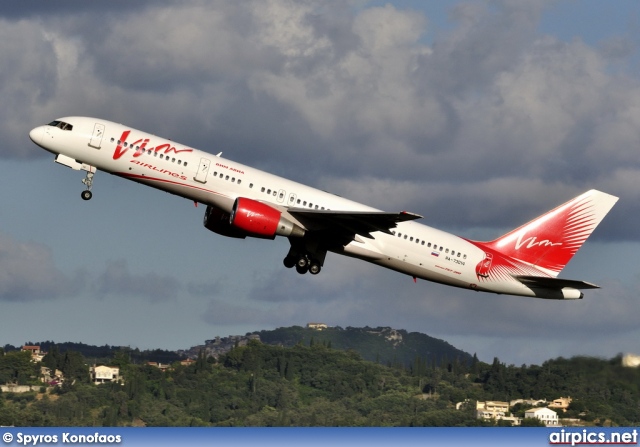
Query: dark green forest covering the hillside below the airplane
{"x": 309, "y": 384}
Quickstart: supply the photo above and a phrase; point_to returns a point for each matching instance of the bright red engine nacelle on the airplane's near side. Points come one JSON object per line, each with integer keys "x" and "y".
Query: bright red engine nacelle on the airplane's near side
{"x": 258, "y": 219}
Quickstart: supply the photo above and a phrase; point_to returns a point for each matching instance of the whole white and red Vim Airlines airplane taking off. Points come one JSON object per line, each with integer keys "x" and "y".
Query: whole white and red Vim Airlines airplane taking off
{"x": 242, "y": 201}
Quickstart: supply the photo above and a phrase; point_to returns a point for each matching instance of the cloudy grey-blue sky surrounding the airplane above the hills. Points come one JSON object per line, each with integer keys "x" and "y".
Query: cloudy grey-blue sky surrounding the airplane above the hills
{"x": 478, "y": 115}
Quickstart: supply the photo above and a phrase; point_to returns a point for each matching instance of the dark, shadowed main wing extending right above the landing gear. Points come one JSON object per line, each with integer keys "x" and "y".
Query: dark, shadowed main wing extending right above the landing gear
{"x": 350, "y": 224}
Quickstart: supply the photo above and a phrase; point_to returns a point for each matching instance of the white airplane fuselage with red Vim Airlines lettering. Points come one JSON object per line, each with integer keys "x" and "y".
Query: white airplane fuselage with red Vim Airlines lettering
{"x": 414, "y": 249}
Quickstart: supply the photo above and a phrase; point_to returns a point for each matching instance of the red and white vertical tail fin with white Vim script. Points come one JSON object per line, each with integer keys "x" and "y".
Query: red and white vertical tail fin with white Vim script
{"x": 550, "y": 241}
